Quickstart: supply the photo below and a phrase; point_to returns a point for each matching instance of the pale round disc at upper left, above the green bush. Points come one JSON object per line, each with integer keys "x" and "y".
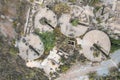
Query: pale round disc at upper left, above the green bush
{"x": 45, "y": 14}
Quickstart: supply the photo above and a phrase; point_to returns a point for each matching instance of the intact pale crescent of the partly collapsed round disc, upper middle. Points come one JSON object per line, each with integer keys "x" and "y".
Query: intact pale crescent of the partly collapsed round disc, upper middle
{"x": 68, "y": 29}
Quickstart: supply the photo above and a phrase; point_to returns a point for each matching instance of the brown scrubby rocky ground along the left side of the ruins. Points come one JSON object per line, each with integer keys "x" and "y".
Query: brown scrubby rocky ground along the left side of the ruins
{"x": 12, "y": 20}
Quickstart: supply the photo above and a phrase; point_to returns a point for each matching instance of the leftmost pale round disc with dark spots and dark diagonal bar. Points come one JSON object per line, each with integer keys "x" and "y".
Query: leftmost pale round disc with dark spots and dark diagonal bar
{"x": 30, "y": 47}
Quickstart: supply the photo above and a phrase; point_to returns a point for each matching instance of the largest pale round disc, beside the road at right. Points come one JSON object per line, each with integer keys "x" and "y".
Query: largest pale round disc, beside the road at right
{"x": 95, "y": 37}
